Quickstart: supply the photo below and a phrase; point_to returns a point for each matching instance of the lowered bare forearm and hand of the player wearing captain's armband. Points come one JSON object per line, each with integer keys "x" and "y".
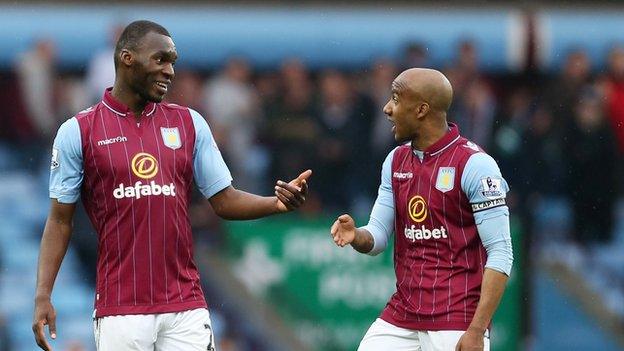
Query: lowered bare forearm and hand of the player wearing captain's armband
{"x": 492, "y": 289}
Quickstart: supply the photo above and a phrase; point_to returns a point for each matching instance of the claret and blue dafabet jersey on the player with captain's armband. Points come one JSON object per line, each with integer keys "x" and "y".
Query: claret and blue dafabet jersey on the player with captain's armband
{"x": 446, "y": 206}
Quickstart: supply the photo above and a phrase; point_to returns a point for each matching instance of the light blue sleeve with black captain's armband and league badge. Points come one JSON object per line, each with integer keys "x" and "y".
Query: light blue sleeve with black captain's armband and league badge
{"x": 486, "y": 190}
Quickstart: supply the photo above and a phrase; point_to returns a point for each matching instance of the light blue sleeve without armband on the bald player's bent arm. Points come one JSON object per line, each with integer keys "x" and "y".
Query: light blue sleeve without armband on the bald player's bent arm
{"x": 381, "y": 222}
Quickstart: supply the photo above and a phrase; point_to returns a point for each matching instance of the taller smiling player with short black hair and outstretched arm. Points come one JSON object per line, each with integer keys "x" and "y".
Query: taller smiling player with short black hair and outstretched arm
{"x": 133, "y": 160}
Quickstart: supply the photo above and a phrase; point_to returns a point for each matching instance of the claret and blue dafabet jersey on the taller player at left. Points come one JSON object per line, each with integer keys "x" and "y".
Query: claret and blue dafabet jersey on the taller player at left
{"x": 135, "y": 181}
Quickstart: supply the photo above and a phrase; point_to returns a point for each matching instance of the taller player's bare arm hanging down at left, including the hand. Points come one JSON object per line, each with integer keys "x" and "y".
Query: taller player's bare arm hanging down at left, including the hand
{"x": 54, "y": 244}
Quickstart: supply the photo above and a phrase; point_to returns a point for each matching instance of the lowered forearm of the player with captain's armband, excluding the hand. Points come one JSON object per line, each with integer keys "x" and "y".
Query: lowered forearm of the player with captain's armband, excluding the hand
{"x": 492, "y": 289}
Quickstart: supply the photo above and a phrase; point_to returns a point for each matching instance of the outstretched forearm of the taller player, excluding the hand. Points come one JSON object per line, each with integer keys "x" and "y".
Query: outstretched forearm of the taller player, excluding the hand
{"x": 241, "y": 205}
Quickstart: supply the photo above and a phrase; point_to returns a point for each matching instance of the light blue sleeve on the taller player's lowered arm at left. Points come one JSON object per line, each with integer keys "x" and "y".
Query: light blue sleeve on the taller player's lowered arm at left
{"x": 66, "y": 167}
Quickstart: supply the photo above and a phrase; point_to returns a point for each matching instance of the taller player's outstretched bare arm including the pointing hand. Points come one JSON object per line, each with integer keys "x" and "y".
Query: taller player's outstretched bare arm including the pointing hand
{"x": 231, "y": 203}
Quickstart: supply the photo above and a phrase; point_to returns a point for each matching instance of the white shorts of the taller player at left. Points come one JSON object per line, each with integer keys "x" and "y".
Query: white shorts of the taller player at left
{"x": 188, "y": 330}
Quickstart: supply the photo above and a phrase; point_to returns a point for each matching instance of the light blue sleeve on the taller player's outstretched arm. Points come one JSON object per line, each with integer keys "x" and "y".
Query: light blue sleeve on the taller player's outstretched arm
{"x": 211, "y": 173}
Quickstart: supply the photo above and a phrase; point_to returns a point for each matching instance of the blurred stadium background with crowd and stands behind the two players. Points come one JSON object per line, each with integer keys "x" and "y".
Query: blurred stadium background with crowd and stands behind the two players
{"x": 288, "y": 87}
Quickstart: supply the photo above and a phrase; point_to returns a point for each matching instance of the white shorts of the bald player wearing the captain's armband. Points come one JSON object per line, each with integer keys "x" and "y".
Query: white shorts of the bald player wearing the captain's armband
{"x": 385, "y": 336}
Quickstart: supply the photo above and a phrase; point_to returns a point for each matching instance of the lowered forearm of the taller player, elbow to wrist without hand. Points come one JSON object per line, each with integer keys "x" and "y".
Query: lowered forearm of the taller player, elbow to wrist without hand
{"x": 54, "y": 243}
